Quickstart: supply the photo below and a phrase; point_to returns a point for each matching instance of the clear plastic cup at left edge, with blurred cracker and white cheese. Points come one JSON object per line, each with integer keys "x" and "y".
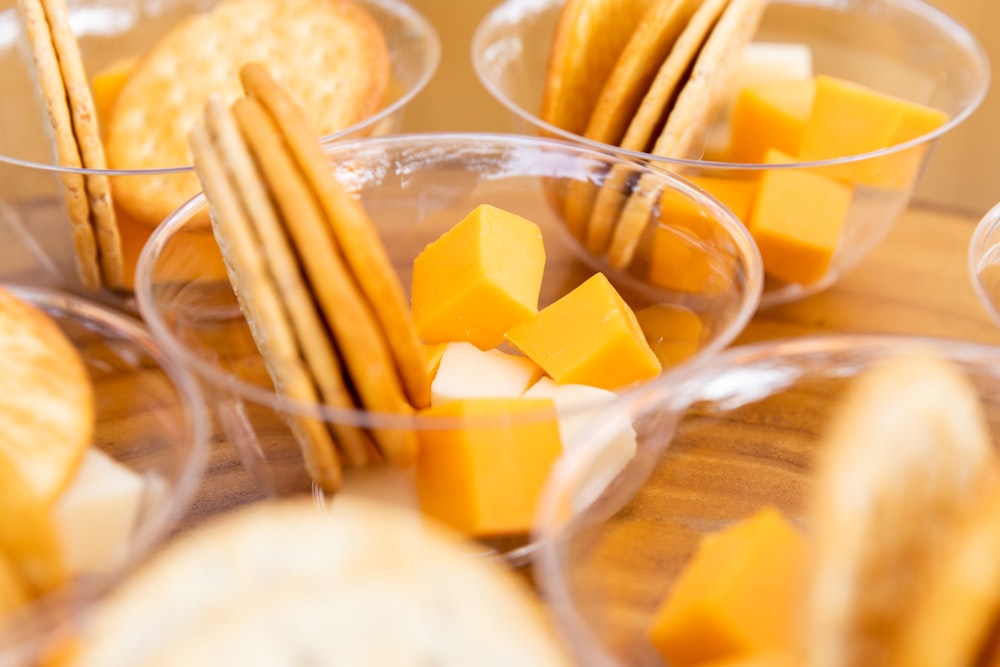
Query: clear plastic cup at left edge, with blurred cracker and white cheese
{"x": 151, "y": 417}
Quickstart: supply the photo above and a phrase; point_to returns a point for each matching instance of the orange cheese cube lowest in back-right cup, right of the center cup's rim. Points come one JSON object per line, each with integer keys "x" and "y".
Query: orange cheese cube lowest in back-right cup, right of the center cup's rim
{"x": 797, "y": 221}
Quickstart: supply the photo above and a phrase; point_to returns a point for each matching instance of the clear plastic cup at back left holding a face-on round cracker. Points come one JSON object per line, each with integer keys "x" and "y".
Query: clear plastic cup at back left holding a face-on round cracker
{"x": 31, "y": 201}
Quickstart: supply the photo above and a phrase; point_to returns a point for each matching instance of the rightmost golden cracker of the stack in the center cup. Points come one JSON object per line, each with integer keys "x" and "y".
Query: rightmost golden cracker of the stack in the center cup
{"x": 355, "y": 234}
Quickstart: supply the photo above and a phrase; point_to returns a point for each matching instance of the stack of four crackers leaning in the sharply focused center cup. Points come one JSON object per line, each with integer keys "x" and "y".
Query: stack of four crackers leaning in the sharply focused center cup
{"x": 324, "y": 303}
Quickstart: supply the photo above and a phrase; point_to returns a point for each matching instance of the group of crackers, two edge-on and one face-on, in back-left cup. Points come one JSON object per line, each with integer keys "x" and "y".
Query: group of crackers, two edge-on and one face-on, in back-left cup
{"x": 332, "y": 56}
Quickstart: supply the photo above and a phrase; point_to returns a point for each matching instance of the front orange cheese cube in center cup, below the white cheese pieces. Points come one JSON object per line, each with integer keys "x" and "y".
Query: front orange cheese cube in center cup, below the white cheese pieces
{"x": 484, "y": 478}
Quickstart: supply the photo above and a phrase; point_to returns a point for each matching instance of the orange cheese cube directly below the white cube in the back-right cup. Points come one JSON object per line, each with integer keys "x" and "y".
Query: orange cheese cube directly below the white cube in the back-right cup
{"x": 770, "y": 115}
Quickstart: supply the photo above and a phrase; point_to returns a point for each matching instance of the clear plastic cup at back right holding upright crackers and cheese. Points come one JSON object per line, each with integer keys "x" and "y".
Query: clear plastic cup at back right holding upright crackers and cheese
{"x": 905, "y": 48}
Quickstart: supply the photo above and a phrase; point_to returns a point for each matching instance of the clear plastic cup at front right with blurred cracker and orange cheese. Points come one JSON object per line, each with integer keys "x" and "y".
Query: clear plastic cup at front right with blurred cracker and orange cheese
{"x": 727, "y": 439}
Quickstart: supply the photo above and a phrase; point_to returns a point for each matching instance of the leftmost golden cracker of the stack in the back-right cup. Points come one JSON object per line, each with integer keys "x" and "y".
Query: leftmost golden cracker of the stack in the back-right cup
{"x": 589, "y": 37}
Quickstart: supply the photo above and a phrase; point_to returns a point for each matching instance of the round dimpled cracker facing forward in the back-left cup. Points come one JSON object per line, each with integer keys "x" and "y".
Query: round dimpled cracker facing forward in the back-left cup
{"x": 330, "y": 56}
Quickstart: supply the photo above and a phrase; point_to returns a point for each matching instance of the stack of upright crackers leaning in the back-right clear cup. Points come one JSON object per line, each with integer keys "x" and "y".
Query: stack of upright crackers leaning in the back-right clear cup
{"x": 651, "y": 79}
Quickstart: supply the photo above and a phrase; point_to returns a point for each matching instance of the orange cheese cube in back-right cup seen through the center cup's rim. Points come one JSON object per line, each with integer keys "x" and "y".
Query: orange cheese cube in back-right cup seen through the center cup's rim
{"x": 688, "y": 252}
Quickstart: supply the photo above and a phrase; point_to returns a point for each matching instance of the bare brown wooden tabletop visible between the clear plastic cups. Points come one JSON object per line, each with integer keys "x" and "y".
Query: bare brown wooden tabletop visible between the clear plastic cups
{"x": 914, "y": 282}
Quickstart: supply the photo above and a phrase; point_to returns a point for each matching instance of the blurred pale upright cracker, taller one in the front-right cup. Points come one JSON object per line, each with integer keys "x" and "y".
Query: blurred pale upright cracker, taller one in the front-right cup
{"x": 907, "y": 454}
